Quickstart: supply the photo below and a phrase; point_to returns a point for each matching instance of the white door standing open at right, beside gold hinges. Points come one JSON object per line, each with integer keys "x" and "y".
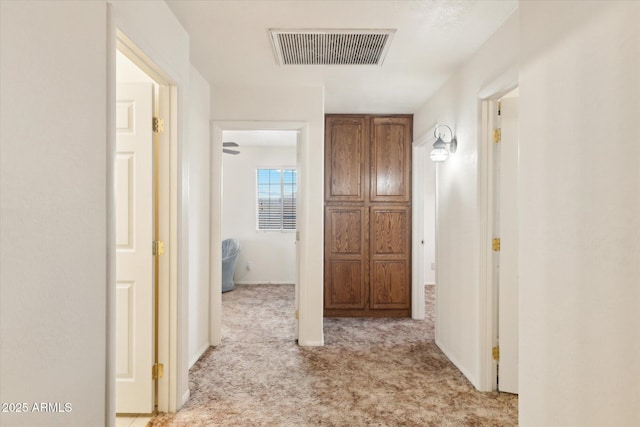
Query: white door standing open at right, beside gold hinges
{"x": 508, "y": 268}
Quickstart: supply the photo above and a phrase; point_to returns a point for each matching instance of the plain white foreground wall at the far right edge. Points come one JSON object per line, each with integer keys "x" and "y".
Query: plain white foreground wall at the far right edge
{"x": 580, "y": 223}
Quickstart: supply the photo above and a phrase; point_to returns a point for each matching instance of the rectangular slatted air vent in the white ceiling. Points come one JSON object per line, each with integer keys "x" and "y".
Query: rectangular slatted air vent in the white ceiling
{"x": 331, "y": 47}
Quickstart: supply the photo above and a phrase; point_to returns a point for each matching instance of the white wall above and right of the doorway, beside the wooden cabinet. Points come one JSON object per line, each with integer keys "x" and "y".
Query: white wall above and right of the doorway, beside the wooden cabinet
{"x": 300, "y": 104}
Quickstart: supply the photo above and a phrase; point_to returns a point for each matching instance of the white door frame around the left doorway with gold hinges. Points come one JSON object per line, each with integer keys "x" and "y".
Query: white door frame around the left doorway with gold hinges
{"x": 167, "y": 338}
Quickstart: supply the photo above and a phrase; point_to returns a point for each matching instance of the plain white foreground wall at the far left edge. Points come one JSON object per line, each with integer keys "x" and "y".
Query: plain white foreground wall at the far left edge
{"x": 53, "y": 210}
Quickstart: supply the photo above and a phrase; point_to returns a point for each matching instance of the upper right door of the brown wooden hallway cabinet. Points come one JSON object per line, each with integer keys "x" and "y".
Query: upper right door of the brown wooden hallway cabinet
{"x": 391, "y": 159}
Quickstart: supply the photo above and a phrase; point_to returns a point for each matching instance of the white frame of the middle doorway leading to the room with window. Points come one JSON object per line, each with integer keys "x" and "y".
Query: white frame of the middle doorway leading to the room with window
{"x": 217, "y": 128}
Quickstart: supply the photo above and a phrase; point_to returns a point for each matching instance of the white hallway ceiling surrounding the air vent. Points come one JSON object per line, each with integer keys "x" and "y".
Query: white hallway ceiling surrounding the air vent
{"x": 230, "y": 45}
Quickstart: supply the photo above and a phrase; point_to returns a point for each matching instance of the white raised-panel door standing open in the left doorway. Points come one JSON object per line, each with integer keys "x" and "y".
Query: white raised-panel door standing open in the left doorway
{"x": 134, "y": 260}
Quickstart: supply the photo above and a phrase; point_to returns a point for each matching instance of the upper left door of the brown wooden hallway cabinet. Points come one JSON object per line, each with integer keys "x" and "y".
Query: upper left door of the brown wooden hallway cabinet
{"x": 345, "y": 152}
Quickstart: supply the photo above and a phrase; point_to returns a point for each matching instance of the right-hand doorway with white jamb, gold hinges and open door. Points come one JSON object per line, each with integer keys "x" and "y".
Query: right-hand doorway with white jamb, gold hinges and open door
{"x": 500, "y": 254}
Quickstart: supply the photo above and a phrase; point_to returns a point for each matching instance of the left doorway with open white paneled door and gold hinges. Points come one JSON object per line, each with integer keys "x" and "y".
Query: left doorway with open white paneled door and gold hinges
{"x": 144, "y": 169}
